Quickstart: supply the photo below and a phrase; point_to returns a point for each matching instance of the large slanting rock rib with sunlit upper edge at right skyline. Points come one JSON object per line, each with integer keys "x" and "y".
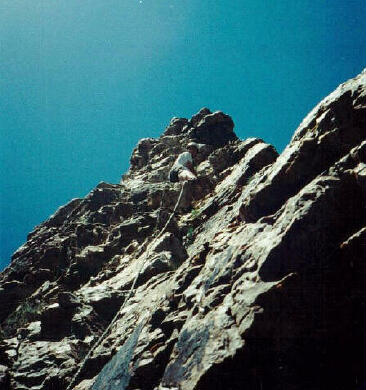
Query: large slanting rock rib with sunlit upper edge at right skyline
{"x": 329, "y": 132}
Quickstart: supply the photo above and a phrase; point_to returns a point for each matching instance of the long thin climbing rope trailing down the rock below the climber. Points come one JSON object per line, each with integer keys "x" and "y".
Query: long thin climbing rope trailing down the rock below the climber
{"x": 114, "y": 320}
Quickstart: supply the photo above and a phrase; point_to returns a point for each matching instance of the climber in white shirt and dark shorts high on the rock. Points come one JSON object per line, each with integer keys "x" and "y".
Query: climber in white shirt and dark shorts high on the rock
{"x": 183, "y": 167}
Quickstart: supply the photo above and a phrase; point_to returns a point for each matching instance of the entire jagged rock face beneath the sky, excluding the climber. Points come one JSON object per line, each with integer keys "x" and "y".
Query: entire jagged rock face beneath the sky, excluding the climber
{"x": 256, "y": 282}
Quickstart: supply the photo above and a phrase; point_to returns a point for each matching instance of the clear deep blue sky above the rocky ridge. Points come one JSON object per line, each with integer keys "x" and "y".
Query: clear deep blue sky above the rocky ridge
{"x": 81, "y": 81}
